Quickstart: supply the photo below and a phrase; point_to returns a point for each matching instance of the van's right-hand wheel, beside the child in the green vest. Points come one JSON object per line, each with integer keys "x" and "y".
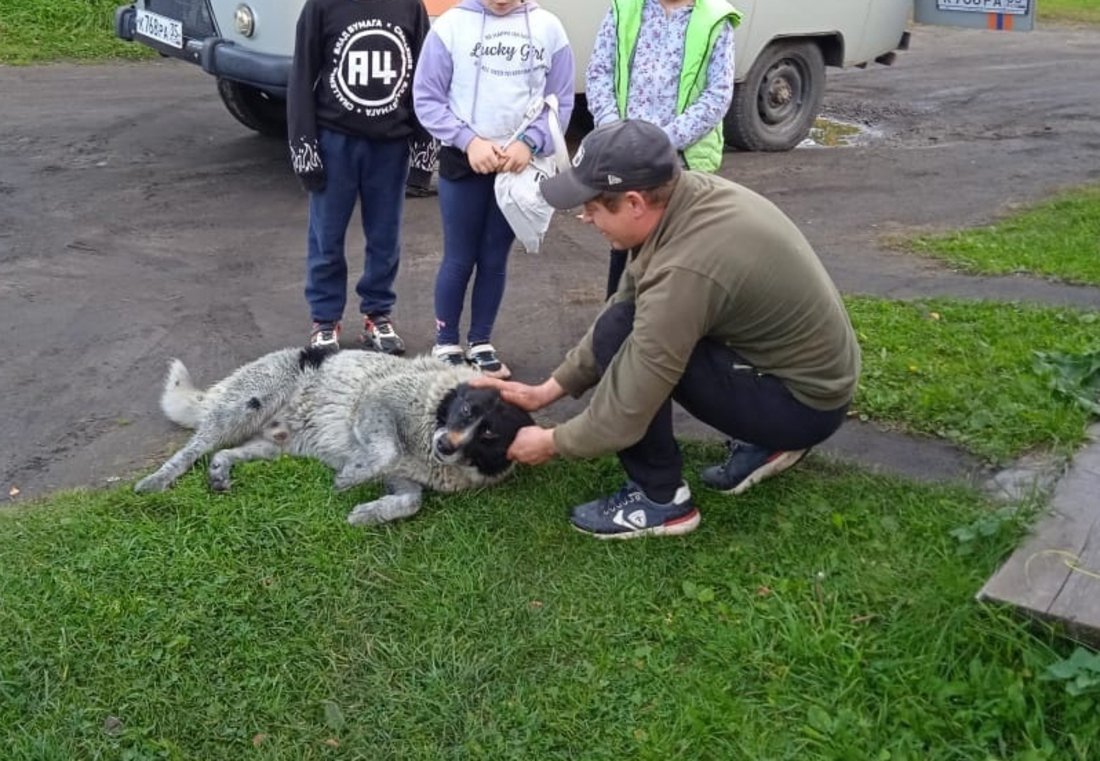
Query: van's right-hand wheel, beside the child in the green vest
{"x": 776, "y": 106}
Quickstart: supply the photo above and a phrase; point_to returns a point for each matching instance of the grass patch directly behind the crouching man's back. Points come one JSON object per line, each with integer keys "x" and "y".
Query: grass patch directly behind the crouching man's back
{"x": 966, "y": 372}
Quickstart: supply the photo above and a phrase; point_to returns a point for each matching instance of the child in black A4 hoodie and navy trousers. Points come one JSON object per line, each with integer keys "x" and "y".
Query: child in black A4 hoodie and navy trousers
{"x": 350, "y": 124}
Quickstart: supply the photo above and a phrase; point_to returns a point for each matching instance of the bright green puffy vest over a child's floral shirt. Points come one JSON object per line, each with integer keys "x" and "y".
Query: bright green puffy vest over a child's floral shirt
{"x": 707, "y": 20}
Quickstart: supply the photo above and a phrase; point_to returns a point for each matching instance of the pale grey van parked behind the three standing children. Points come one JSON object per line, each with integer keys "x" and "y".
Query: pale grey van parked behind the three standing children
{"x": 783, "y": 50}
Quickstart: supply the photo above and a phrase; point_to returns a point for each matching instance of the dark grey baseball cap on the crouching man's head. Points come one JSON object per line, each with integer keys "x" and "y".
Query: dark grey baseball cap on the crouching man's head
{"x": 624, "y": 156}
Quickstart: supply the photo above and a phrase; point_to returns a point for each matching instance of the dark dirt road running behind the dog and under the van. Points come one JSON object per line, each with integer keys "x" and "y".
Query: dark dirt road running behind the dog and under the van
{"x": 138, "y": 222}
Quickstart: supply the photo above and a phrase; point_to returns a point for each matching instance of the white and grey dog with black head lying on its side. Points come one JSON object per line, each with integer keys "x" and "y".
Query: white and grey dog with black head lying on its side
{"x": 412, "y": 423}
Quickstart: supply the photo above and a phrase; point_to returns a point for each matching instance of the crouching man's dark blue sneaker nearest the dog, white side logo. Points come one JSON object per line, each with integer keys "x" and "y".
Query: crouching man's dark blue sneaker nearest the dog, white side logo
{"x": 629, "y": 514}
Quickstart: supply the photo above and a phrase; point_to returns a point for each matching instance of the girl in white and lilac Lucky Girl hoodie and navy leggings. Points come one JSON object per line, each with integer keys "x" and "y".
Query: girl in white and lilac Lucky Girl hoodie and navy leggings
{"x": 482, "y": 65}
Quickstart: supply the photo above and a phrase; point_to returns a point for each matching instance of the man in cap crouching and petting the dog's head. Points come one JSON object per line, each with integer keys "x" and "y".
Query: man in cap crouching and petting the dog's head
{"x": 724, "y": 308}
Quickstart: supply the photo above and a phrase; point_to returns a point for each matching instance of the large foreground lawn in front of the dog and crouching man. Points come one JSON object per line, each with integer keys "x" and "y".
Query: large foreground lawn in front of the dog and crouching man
{"x": 827, "y": 615}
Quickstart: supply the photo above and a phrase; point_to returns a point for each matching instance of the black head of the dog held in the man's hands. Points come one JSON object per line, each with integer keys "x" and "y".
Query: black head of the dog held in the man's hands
{"x": 476, "y": 427}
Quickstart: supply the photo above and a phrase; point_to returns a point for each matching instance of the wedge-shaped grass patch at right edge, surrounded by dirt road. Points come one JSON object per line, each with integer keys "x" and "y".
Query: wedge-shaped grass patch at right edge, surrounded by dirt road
{"x": 1058, "y": 239}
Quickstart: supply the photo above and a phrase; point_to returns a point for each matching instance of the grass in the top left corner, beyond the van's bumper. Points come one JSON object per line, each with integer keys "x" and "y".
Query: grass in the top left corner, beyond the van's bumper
{"x": 38, "y": 31}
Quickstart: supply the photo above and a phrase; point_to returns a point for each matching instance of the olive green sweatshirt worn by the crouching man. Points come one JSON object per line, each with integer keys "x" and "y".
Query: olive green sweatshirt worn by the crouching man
{"x": 723, "y": 263}
